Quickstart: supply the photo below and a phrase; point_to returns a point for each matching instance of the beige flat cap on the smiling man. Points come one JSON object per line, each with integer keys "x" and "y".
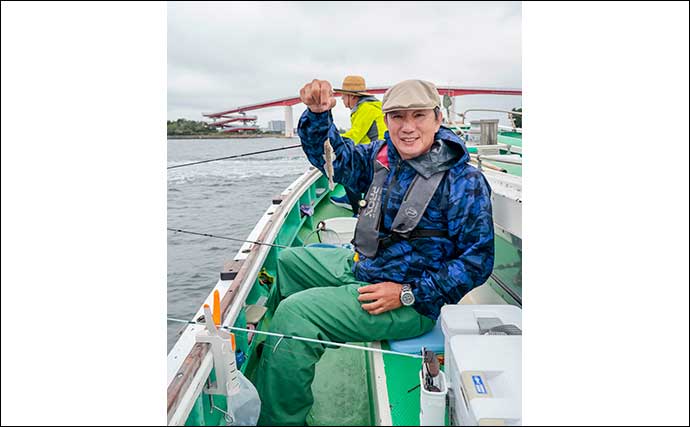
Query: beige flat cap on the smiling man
{"x": 411, "y": 95}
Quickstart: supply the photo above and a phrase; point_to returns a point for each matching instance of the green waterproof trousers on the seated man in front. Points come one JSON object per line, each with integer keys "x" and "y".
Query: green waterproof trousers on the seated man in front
{"x": 320, "y": 301}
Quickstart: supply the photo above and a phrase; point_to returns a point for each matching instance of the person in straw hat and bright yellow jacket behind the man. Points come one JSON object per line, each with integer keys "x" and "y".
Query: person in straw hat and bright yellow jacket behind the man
{"x": 367, "y": 125}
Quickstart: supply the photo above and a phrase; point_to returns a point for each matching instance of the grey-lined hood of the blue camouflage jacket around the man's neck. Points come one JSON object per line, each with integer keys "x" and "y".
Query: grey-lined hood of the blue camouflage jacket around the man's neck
{"x": 447, "y": 150}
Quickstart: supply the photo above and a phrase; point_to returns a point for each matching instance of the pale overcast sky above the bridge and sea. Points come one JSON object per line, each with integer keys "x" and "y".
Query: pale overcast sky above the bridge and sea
{"x": 224, "y": 55}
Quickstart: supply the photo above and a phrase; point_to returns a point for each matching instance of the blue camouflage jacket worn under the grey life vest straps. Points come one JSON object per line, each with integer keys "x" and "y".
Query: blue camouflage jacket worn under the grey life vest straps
{"x": 440, "y": 270}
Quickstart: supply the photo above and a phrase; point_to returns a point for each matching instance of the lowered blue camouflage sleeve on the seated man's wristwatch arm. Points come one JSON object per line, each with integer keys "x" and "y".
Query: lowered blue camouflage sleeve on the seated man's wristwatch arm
{"x": 470, "y": 224}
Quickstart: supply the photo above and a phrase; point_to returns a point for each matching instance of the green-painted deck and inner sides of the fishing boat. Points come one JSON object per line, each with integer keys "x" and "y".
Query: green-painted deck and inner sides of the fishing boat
{"x": 351, "y": 387}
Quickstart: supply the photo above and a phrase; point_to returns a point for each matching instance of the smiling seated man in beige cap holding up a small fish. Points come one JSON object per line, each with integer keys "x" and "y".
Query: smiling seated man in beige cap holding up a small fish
{"x": 424, "y": 238}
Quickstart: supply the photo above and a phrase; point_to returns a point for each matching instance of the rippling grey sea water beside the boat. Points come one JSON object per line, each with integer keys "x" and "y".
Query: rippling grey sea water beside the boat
{"x": 224, "y": 198}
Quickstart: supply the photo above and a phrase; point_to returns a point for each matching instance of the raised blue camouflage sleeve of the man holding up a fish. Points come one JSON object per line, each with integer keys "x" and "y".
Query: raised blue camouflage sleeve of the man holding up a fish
{"x": 352, "y": 166}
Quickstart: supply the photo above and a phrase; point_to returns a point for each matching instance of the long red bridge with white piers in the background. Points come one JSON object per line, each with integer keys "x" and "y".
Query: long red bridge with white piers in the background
{"x": 451, "y": 91}
